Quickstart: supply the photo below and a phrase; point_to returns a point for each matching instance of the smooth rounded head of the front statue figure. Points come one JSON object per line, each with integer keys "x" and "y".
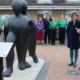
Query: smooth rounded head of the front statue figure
{"x": 17, "y": 6}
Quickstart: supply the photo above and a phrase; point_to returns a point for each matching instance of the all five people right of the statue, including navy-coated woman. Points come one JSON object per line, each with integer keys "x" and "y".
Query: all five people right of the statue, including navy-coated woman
{"x": 48, "y": 28}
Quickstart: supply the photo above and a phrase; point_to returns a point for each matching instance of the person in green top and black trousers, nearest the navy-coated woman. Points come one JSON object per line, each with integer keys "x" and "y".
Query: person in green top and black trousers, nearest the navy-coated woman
{"x": 62, "y": 23}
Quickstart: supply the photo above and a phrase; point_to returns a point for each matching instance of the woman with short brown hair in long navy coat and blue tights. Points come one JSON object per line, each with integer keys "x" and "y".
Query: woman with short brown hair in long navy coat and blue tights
{"x": 73, "y": 38}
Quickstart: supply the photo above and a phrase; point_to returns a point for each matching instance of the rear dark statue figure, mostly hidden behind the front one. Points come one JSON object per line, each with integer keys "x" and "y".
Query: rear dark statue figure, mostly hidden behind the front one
{"x": 32, "y": 42}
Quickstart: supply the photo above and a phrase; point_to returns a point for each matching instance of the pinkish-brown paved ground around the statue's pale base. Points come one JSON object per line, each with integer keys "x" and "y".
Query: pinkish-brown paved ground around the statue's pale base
{"x": 59, "y": 58}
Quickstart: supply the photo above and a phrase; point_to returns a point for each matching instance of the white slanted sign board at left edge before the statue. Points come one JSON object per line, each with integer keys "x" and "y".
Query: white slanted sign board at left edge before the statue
{"x": 5, "y": 48}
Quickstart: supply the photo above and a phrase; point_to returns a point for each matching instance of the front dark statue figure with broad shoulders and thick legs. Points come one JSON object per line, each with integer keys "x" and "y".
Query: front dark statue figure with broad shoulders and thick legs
{"x": 21, "y": 28}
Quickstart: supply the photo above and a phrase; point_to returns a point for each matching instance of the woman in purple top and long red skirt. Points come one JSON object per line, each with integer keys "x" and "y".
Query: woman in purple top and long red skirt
{"x": 40, "y": 30}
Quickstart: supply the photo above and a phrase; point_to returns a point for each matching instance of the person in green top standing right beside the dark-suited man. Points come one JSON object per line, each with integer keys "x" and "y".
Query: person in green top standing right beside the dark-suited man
{"x": 52, "y": 26}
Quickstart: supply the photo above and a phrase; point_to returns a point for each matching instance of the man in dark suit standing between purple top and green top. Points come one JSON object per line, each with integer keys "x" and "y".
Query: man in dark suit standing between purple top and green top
{"x": 46, "y": 28}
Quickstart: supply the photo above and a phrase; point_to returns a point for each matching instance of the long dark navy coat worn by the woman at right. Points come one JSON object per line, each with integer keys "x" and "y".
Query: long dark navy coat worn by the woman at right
{"x": 72, "y": 35}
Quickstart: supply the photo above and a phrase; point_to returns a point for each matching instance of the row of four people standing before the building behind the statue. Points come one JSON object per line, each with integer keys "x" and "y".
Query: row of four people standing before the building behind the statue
{"x": 47, "y": 28}
